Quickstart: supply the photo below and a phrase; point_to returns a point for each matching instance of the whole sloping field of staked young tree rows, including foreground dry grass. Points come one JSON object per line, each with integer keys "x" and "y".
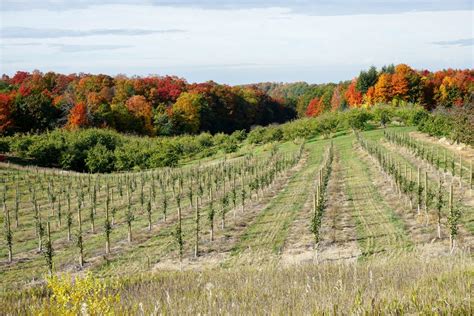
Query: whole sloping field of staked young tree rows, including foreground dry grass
{"x": 378, "y": 222}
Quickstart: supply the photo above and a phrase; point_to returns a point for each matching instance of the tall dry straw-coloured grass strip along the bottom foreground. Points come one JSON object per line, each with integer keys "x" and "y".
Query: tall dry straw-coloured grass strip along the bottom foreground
{"x": 407, "y": 284}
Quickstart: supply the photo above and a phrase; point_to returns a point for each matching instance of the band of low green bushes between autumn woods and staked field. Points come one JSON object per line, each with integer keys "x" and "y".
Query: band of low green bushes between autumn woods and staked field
{"x": 96, "y": 150}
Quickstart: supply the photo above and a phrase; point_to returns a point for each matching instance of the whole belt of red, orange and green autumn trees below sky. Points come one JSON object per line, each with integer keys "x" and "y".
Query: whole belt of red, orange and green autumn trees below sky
{"x": 168, "y": 105}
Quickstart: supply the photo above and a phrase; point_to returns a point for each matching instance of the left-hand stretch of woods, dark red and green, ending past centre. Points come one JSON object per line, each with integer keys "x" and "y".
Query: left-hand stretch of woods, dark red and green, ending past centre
{"x": 153, "y": 105}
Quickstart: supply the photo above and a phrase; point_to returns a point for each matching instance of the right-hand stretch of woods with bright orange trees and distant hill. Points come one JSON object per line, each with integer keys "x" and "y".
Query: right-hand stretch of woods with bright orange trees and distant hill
{"x": 396, "y": 85}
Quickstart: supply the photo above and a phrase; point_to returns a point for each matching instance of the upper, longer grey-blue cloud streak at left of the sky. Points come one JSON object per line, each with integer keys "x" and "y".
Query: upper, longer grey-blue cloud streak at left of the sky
{"x": 27, "y": 32}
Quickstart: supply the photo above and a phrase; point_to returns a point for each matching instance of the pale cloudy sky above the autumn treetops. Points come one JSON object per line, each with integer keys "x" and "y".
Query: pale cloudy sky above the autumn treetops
{"x": 234, "y": 42}
